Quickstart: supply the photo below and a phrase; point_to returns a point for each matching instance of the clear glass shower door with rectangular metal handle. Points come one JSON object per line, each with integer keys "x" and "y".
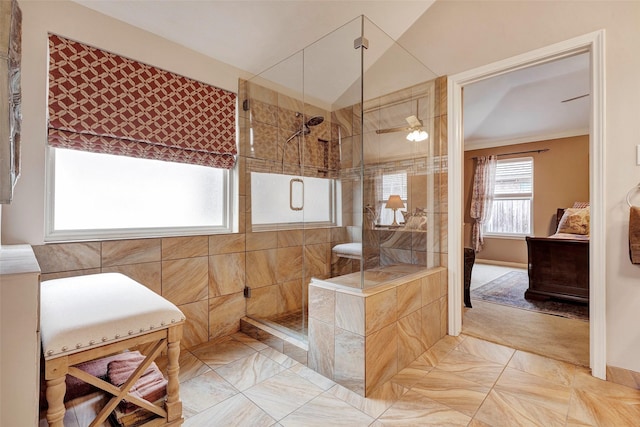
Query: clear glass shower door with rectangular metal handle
{"x": 273, "y": 109}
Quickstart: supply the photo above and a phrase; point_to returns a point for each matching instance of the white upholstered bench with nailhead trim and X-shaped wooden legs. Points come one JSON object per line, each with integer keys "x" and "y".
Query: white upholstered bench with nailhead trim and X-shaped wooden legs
{"x": 89, "y": 317}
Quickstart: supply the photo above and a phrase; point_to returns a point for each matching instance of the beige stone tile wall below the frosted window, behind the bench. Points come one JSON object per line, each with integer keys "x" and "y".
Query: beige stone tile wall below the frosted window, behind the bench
{"x": 202, "y": 275}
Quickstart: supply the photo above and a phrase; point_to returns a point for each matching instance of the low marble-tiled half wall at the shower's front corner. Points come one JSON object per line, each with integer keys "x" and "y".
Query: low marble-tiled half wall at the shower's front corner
{"x": 361, "y": 339}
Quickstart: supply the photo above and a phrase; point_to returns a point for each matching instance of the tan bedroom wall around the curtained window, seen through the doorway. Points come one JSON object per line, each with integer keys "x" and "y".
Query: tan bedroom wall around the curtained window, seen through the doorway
{"x": 560, "y": 178}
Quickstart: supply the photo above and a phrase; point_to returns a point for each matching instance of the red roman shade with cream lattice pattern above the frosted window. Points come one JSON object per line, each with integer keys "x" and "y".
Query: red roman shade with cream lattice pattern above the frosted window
{"x": 104, "y": 103}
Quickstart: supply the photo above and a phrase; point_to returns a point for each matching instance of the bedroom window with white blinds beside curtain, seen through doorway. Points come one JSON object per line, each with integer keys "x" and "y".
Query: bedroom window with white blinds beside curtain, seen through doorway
{"x": 511, "y": 211}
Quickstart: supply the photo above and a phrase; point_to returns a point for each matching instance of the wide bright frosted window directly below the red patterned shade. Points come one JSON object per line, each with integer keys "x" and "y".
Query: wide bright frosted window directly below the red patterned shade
{"x": 94, "y": 195}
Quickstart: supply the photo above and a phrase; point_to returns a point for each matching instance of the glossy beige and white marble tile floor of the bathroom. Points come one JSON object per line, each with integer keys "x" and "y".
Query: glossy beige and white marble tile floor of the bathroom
{"x": 460, "y": 381}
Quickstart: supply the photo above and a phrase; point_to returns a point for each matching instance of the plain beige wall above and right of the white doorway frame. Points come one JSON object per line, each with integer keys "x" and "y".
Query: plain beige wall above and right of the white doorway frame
{"x": 458, "y": 36}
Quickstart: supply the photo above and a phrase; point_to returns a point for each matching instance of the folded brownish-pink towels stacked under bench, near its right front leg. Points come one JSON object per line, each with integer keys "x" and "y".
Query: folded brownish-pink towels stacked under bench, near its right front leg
{"x": 151, "y": 386}
